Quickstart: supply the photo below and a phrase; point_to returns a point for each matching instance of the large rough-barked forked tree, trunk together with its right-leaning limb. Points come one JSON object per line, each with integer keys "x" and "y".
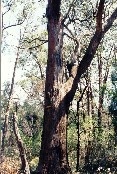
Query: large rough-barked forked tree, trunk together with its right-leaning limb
{"x": 58, "y": 95}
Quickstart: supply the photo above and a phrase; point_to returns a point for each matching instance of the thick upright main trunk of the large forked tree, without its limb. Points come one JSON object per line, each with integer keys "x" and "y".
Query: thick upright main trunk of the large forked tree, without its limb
{"x": 53, "y": 155}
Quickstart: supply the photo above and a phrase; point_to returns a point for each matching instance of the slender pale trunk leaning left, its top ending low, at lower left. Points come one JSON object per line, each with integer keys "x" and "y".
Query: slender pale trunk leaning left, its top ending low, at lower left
{"x": 24, "y": 163}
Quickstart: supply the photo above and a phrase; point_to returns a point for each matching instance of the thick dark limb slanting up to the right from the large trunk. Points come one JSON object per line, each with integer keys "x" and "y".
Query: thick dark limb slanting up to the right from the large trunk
{"x": 88, "y": 57}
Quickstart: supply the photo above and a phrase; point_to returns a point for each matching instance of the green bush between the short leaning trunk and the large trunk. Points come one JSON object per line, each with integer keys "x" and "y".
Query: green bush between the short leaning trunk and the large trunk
{"x": 31, "y": 129}
